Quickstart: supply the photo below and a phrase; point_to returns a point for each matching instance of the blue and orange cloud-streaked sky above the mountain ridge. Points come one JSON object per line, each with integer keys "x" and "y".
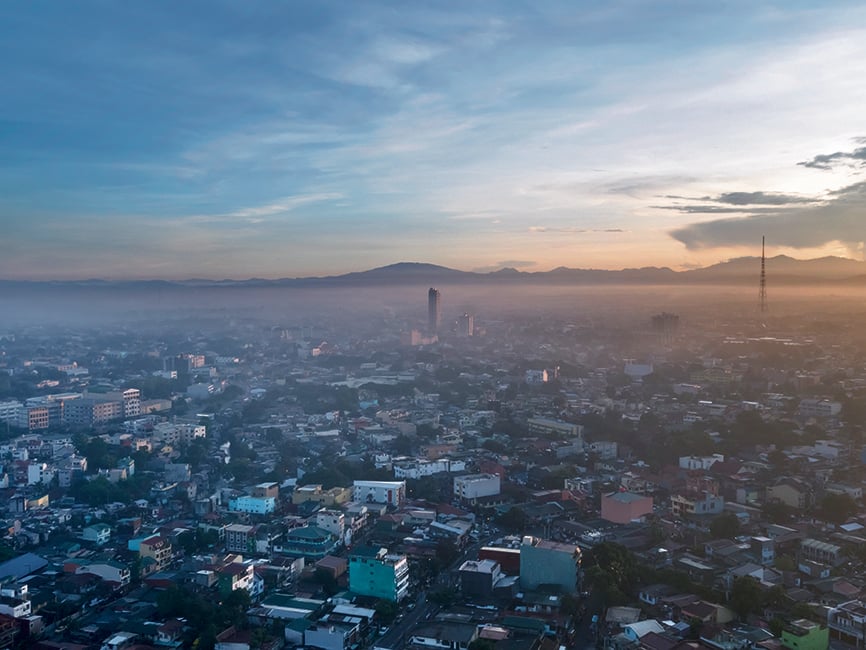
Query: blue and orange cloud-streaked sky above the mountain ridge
{"x": 242, "y": 139}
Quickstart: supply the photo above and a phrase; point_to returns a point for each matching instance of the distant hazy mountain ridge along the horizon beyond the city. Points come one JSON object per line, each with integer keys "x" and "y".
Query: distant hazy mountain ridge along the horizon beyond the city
{"x": 781, "y": 269}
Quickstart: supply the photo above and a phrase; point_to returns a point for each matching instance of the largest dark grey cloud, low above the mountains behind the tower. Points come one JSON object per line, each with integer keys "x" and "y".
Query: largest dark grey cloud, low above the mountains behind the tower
{"x": 842, "y": 218}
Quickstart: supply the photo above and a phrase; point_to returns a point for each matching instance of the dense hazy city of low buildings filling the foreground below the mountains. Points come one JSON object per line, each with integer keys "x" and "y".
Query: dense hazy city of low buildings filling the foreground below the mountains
{"x": 587, "y": 476}
